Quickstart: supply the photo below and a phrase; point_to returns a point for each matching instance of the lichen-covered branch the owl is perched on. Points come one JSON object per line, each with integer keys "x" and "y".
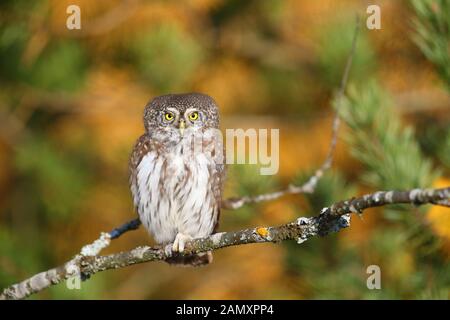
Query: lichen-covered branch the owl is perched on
{"x": 330, "y": 219}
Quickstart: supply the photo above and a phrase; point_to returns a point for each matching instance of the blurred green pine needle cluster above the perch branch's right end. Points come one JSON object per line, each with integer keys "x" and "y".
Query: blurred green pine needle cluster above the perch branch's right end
{"x": 388, "y": 150}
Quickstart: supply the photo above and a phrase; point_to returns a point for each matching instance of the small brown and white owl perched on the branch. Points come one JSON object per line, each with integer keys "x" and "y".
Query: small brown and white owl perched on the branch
{"x": 177, "y": 172}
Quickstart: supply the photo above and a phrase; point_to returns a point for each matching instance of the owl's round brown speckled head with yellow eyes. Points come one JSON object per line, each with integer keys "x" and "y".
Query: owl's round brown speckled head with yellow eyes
{"x": 177, "y": 114}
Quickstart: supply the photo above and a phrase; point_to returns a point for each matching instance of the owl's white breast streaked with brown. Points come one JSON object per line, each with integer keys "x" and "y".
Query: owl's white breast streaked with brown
{"x": 175, "y": 194}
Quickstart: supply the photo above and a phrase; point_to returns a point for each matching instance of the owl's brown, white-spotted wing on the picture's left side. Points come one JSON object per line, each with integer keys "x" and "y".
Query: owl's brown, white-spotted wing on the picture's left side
{"x": 142, "y": 147}
